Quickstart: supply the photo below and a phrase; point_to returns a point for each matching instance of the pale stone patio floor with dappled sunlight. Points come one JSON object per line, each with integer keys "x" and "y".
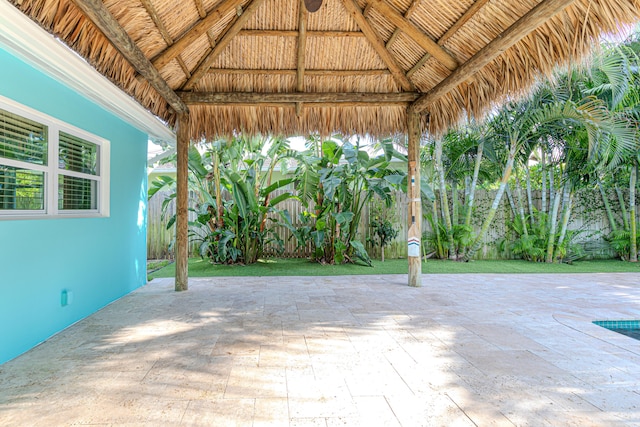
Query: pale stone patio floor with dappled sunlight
{"x": 462, "y": 350}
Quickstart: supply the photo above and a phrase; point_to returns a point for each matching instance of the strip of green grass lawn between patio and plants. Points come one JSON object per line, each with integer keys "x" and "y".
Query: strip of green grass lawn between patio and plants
{"x": 300, "y": 267}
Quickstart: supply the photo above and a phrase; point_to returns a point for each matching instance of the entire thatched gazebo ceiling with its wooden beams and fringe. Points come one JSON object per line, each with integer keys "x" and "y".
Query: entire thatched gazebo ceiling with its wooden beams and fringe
{"x": 353, "y": 66}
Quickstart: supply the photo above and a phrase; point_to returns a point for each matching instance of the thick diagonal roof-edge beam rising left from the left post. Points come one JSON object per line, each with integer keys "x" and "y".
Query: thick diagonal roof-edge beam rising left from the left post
{"x": 97, "y": 12}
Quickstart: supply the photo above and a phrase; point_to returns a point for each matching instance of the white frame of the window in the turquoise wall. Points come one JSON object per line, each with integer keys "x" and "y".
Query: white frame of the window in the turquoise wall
{"x": 52, "y": 171}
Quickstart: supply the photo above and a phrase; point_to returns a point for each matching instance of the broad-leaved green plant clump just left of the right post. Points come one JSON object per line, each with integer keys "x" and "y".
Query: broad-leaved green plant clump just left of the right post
{"x": 335, "y": 187}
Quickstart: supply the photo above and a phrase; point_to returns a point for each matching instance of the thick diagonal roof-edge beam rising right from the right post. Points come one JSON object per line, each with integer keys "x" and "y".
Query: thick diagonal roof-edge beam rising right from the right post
{"x": 512, "y": 35}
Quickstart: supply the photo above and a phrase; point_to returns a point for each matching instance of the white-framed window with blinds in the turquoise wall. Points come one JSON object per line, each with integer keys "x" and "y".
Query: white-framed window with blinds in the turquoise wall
{"x": 49, "y": 168}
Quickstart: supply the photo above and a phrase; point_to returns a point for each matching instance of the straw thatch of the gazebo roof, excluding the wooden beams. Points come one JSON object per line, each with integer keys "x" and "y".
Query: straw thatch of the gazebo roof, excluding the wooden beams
{"x": 564, "y": 40}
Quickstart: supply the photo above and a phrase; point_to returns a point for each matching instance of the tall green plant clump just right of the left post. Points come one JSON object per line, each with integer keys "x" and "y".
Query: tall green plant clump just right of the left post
{"x": 234, "y": 193}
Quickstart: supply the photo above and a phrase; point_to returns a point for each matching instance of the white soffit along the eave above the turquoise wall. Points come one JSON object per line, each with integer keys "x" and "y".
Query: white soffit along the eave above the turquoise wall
{"x": 29, "y": 42}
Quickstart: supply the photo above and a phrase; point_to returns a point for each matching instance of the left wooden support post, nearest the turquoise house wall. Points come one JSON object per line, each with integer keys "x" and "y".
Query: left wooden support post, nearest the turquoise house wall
{"x": 182, "y": 203}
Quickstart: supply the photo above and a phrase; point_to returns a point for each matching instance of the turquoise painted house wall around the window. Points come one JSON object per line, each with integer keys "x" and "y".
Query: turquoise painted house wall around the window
{"x": 98, "y": 259}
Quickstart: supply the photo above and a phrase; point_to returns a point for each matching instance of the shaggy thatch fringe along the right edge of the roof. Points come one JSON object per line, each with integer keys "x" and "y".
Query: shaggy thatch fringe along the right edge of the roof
{"x": 564, "y": 41}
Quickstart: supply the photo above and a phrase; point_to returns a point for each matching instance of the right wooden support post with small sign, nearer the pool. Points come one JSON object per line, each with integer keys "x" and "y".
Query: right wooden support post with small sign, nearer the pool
{"x": 414, "y": 235}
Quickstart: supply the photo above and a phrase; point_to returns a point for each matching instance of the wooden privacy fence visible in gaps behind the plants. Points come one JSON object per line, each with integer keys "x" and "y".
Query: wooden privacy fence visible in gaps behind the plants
{"x": 588, "y": 220}
